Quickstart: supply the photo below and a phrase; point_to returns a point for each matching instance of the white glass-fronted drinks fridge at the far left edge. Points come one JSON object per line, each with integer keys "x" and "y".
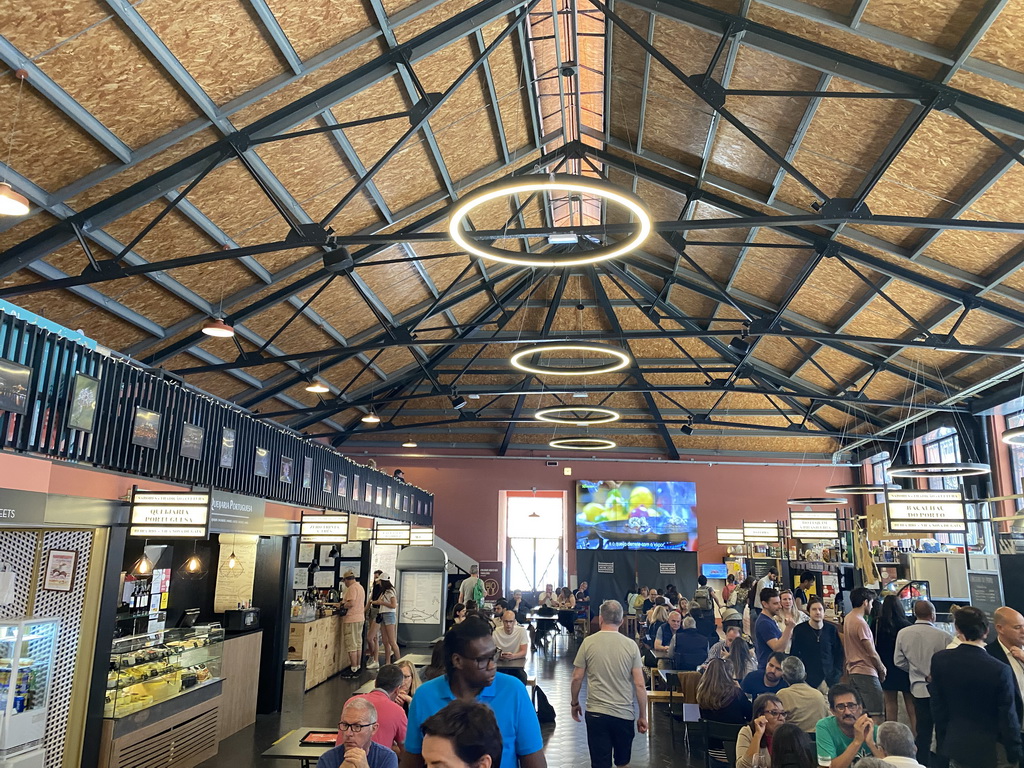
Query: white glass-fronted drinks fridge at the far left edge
{"x": 28, "y": 648}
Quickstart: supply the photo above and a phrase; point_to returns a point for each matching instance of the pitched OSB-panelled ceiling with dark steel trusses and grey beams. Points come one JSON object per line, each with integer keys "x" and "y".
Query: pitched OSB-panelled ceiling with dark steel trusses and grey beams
{"x": 837, "y": 189}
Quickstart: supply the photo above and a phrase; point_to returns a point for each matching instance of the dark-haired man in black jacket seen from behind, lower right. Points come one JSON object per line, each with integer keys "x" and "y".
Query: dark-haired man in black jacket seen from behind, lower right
{"x": 973, "y": 701}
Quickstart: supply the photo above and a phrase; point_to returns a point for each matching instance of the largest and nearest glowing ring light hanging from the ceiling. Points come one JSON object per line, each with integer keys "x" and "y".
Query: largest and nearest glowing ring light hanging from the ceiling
{"x": 548, "y": 184}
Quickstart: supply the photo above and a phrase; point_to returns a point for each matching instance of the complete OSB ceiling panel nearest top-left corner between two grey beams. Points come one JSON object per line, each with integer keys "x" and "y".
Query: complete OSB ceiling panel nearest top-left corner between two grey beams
{"x": 105, "y": 61}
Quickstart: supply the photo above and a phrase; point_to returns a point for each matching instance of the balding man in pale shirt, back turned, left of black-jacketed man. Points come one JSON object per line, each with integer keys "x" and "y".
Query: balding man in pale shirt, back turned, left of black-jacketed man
{"x": 915, "y": 648}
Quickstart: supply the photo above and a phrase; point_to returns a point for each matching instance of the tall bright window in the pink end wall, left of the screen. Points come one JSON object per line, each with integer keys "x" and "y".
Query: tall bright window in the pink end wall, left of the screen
{"x": 535, "y": 529}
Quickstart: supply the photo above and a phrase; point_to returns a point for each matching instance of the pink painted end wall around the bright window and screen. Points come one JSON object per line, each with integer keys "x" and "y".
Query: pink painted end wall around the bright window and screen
{"x": 466, "y": 494}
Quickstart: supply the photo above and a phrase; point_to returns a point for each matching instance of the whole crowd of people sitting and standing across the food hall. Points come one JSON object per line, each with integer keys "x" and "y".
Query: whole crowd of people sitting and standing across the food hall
{"x": 795, "y": 691}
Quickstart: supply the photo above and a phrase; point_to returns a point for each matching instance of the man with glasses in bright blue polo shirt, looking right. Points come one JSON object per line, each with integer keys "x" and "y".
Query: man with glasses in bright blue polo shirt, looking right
{"x": 471, "y": 659}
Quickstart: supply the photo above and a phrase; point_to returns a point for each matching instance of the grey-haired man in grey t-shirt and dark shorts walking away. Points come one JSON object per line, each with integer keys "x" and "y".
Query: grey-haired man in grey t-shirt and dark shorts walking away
{"x": 611, "y": 663}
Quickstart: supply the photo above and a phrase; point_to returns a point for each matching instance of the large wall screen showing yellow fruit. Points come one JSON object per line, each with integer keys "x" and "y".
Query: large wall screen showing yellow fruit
{"x": 624, "y": 515}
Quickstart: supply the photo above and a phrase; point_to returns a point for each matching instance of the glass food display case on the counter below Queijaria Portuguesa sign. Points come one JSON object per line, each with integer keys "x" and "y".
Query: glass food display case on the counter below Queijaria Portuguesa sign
{"x": 158, "y": 666}
